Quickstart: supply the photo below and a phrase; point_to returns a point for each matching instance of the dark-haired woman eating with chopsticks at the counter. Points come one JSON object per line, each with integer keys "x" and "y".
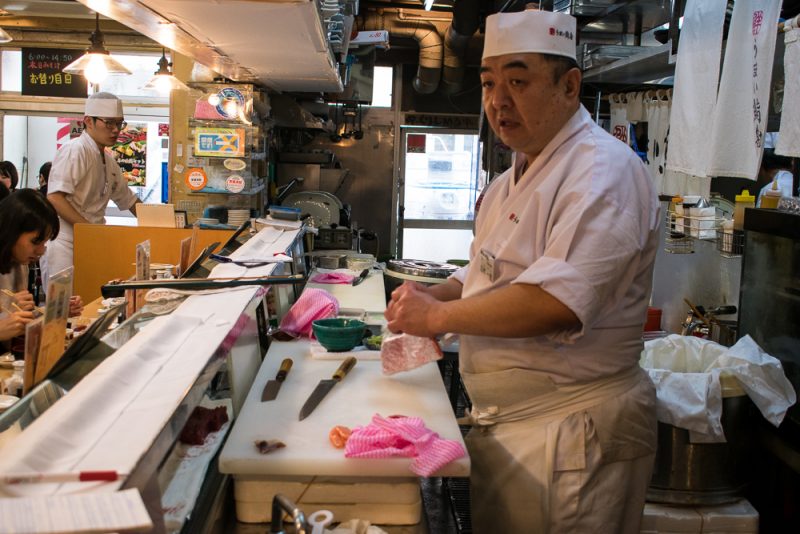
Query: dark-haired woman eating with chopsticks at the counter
{"x": 27, "y": 222}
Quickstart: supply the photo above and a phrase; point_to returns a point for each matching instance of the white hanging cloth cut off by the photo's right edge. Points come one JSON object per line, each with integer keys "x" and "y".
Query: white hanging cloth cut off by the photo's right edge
{"x": 789, "y": 138}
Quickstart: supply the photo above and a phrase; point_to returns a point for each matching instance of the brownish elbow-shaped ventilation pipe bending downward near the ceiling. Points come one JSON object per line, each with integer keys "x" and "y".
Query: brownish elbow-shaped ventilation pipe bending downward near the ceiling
{"x": 430, "y": 47}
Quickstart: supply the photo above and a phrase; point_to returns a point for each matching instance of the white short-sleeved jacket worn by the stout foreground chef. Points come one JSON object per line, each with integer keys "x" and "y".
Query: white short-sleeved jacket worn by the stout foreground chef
{"x": 582, "y": 223}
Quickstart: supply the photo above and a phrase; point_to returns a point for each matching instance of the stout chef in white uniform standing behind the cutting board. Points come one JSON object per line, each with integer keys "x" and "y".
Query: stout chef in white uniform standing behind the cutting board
{"x": 552, "y": 304}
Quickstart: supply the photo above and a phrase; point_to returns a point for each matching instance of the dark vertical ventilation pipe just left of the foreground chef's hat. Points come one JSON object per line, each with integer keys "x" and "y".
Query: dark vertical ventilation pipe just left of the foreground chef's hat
{"x": 465, "y": 23}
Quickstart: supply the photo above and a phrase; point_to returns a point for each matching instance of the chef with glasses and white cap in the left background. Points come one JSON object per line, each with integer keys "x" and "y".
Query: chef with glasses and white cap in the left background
{"x": 84, "y": 177}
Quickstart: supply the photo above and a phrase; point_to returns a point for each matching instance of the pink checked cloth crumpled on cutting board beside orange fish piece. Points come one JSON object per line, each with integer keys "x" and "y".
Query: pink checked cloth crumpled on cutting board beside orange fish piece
{"x": 406, "y": 437}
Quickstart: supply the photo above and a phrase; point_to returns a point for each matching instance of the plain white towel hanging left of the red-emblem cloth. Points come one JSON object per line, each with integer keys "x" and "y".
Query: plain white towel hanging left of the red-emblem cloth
{"x": 696, "y": 79}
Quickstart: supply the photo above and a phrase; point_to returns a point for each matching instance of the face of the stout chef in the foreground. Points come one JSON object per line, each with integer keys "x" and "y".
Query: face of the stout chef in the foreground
{"x": 527, "y": 100}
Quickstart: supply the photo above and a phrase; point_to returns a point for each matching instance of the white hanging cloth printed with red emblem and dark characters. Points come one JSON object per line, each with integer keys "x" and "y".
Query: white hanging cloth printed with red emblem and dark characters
{"x": 740, "y": 117}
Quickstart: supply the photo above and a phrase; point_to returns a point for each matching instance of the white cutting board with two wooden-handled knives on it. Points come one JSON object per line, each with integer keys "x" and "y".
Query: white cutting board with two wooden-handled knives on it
{"x": 364, "y": 392}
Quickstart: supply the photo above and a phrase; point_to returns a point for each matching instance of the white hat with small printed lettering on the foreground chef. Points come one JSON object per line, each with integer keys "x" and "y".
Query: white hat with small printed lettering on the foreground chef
{"x": 526, "y": 31}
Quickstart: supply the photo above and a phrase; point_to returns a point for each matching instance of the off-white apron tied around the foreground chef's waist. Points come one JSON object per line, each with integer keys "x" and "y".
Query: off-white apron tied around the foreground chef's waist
{"x": 550, "y": 458}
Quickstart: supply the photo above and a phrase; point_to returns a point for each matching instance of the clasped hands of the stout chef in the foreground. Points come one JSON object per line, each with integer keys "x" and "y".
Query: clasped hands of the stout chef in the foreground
{"x": 410, "y": 310}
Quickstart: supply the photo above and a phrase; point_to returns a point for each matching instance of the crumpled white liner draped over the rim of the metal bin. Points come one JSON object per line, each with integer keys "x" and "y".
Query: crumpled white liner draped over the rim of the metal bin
{"x": 686, "y": 372}
